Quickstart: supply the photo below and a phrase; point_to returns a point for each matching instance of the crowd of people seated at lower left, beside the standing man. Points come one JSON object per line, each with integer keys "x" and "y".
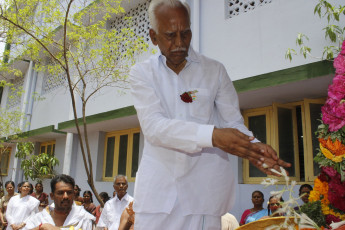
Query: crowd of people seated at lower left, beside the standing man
{"x": 23, "y": 210}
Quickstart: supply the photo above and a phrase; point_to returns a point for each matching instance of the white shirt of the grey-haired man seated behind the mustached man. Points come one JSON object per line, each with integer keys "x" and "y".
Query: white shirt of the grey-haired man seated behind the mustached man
{"x": 112, "y": 211}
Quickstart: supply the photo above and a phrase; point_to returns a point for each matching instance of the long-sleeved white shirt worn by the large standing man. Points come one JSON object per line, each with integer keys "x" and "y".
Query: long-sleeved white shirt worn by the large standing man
{"x": 179, "y": 161}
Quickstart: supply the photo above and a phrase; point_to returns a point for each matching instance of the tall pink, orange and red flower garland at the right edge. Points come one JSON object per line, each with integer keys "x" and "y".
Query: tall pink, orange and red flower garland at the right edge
{"x": 329, "y": 186}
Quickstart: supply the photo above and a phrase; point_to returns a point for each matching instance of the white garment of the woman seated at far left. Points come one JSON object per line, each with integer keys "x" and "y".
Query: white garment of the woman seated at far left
{"x": 20, "y": 209}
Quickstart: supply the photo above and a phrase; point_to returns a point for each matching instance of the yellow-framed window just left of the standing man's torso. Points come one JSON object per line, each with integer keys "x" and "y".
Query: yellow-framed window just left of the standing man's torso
{"x": 121, "y": 154}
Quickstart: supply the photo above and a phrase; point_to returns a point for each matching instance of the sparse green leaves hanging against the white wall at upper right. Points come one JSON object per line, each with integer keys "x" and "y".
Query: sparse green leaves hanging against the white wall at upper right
{"x": 333, "y": 31}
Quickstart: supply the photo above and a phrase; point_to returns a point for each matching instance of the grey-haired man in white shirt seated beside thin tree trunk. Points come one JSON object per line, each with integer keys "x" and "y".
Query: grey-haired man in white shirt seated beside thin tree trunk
{"x": 113, "y": 208}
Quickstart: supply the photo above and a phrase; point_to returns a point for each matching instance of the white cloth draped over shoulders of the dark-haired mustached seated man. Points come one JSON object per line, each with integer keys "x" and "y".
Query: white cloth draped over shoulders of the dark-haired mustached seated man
{"x": 78, "y": 217}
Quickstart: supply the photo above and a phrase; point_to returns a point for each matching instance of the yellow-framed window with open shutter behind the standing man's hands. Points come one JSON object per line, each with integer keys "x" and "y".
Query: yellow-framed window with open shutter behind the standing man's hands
{"x": 290, "y": 130}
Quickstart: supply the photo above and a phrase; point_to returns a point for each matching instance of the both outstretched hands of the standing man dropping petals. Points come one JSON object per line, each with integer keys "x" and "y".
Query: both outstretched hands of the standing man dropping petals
{"x": 237, "y": 143}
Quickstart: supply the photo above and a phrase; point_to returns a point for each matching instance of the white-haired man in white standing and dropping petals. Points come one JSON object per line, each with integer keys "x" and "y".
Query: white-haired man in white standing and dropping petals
{"x": 189, "y": 114}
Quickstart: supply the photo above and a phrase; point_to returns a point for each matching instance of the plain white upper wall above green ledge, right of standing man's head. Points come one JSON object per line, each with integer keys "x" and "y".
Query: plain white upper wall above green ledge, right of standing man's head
{"x": 255, "y": 42}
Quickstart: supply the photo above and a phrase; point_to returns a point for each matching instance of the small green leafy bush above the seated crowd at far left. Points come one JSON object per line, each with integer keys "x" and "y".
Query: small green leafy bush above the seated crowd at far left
{"x": 35, "y": 166}
